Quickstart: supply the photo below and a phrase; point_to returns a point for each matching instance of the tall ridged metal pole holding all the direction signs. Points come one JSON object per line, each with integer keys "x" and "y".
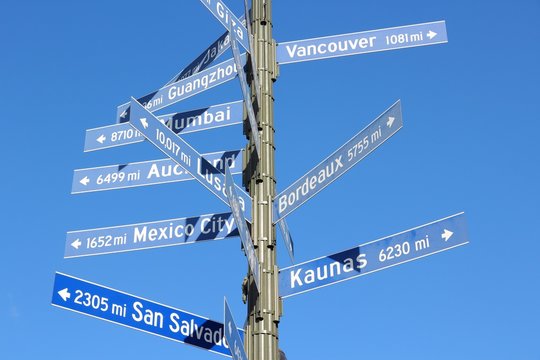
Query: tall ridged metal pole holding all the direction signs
{"x": 264, "y": 309}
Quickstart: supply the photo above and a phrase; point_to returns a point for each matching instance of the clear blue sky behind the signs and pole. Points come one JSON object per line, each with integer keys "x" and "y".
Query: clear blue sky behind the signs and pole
{"x": 469, "y": 143}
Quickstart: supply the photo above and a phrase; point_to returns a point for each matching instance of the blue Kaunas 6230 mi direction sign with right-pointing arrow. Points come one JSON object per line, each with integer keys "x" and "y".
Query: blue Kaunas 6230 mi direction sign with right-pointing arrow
{"x": 413, "y": 244}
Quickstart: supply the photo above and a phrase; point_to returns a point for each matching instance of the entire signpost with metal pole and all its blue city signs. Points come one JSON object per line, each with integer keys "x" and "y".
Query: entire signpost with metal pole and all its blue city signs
{"x": 261, "y": 207}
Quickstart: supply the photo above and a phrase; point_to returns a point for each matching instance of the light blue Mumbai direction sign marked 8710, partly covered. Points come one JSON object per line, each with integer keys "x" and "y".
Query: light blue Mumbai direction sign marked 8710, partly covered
{"x": 211, "y": 117}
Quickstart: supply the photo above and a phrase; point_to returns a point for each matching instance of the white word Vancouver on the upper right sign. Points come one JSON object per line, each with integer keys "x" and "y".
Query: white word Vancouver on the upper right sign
{"x": 331, "y": 47}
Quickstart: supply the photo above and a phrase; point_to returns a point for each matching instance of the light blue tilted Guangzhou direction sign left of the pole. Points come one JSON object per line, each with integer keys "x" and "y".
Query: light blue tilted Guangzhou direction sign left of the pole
{"x": 183, "y": 89}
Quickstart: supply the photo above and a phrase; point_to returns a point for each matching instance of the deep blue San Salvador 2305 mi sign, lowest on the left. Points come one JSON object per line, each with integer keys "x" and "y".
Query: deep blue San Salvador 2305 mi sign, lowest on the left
{"x": 131, "y": 311}
